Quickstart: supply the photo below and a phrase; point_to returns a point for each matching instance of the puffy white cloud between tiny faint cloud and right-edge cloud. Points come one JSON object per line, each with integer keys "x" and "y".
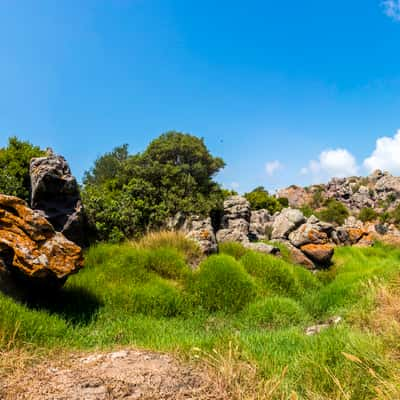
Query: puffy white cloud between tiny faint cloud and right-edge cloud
{"x": 331, "y": 163}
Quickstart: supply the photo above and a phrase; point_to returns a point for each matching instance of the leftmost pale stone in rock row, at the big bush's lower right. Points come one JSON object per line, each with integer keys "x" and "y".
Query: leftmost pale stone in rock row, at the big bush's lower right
{"x": 201, "y": 231}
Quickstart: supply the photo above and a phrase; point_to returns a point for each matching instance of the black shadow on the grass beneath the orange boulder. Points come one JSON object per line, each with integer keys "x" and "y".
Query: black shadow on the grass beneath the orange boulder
{"x": 76, "y": 305}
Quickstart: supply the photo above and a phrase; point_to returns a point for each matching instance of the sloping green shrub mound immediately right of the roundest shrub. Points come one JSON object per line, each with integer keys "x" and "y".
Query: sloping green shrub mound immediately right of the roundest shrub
{"x": 276, "y": 275}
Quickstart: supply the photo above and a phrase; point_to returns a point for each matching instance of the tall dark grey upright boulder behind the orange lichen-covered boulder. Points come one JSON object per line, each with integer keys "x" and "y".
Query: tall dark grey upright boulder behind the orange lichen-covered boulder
{"x": 55, "y": 192}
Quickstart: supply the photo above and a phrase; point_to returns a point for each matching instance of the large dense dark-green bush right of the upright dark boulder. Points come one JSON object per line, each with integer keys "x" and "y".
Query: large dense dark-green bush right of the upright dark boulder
{"x": 125, "y": 195}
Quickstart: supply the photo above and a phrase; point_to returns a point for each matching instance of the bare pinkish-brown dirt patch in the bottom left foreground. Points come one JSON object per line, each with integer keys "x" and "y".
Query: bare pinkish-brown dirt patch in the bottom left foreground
{"x": 125, "y": 374}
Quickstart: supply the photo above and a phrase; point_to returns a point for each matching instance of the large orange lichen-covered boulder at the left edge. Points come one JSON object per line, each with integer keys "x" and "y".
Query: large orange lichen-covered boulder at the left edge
{"x": 30, "y": 248}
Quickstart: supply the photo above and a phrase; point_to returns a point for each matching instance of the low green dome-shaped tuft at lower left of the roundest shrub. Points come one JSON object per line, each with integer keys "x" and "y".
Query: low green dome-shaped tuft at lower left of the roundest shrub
{"x": 158, "y": 299}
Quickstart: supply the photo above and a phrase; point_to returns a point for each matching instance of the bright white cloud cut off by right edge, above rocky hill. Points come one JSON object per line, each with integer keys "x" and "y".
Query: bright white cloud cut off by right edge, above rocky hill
{"x": 386, "y": 155}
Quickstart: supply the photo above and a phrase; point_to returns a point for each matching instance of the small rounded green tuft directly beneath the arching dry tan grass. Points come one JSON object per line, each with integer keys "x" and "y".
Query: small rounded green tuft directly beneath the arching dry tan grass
{"x": 167, "y": 262}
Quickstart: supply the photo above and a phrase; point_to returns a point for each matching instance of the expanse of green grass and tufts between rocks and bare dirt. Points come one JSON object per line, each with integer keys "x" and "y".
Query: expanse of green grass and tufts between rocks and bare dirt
{"x": 147, "y": 296}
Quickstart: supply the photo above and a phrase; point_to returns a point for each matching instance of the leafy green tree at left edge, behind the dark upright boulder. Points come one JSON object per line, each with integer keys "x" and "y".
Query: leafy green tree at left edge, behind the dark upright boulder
{"x": 14, "y": 167}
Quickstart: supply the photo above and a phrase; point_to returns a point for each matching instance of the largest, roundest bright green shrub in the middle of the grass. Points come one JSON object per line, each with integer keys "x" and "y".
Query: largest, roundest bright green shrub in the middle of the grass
{"x": 222, "y": 284}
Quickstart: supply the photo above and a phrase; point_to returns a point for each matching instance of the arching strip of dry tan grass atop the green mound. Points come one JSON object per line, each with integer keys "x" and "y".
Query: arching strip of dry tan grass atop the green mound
{"x": 176, "y": 240}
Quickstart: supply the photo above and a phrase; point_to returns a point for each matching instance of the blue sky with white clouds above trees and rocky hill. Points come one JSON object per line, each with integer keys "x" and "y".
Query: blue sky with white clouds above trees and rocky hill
{"x": 285, "y": 91}
